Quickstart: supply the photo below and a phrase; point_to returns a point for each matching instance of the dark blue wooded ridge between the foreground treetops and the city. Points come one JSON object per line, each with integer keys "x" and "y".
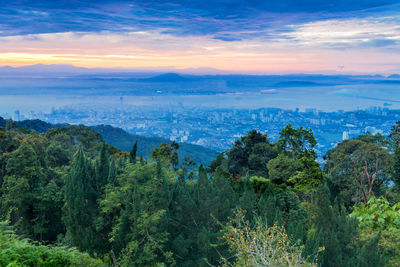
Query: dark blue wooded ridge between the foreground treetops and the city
{"x": 123, "y": 140}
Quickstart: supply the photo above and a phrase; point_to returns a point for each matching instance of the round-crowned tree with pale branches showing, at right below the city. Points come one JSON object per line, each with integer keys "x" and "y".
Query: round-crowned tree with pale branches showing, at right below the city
{"x": 358, "y": 170}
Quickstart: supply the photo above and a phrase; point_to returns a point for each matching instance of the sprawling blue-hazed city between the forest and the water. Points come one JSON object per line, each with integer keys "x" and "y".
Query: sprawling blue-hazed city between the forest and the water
{"x": 219, "y": 128}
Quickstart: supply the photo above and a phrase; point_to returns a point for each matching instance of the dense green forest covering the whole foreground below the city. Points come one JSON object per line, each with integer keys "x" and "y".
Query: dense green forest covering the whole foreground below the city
{"x": 258, "y": 204}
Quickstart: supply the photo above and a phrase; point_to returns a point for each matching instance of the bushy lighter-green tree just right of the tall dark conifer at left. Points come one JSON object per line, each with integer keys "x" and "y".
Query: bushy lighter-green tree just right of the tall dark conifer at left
{"x": 140, "y": 233}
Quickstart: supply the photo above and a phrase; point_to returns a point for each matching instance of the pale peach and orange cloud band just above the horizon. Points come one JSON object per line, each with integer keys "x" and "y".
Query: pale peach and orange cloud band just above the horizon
{"x": 153, "y": 49}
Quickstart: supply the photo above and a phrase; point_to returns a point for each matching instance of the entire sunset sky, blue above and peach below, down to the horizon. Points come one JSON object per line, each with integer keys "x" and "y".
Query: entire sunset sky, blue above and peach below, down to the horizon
{"x": 253, "y": 36}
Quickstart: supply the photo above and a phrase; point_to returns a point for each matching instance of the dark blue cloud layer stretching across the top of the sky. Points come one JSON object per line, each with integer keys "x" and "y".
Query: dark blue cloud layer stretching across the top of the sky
{"x": 195, "y": 17}
